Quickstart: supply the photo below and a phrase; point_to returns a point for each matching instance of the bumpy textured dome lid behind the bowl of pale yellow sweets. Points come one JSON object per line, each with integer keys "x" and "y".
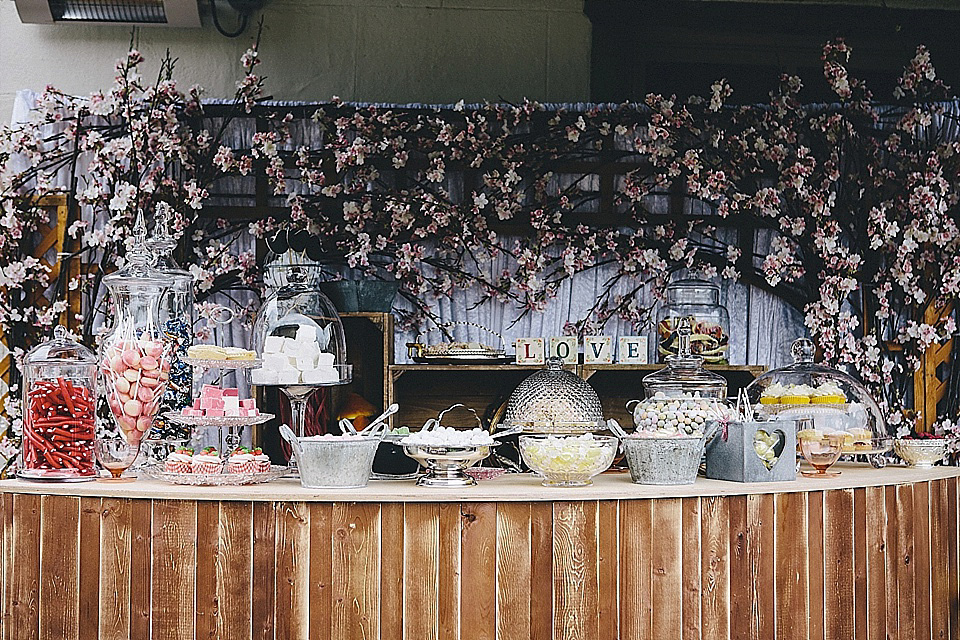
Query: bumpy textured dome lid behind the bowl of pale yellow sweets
{"x": 554, "y": 401}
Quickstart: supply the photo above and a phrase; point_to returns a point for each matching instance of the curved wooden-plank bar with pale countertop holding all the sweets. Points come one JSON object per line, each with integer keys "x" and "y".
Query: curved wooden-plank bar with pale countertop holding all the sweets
{"x": 877, "y": 559}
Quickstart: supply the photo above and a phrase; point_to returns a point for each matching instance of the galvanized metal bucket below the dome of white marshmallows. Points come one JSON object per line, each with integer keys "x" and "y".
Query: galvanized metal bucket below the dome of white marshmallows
{"x": 332, "y": 463}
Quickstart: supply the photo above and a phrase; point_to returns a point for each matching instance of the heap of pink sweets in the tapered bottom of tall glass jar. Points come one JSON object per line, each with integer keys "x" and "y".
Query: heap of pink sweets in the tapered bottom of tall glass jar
{"x": 136, "y": 373}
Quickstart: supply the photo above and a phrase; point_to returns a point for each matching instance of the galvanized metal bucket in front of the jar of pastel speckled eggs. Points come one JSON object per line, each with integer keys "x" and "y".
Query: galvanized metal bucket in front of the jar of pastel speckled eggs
{"x": 663, "y": 460}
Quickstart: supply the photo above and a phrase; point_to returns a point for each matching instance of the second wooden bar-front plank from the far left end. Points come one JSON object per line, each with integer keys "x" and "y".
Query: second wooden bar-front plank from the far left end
{"x": 25, "y": 564}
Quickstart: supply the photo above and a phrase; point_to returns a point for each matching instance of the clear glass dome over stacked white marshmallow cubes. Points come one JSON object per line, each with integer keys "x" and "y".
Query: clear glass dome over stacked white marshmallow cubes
{"x": 299, "y": 336}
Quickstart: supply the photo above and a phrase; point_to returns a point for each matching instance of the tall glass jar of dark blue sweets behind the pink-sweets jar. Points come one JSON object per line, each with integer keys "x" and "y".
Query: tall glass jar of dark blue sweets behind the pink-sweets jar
{"x": 176, "y": 323}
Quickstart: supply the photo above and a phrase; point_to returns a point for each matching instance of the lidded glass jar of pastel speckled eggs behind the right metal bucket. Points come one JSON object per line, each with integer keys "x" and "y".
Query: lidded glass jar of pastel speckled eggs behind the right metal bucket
{"x": 683, "y": 397}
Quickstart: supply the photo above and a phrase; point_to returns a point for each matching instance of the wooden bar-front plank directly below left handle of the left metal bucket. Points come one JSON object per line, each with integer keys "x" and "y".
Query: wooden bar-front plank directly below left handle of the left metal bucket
{"x": 293, "y": 575}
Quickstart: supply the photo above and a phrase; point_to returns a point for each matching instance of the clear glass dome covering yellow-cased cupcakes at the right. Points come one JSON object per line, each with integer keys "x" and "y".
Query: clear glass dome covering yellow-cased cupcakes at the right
{"x": 822, "y": 400}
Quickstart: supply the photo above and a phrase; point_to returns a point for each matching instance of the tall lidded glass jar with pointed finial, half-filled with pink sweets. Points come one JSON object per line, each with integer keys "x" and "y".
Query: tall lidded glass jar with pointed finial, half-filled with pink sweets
{"x": 135, "y": 358}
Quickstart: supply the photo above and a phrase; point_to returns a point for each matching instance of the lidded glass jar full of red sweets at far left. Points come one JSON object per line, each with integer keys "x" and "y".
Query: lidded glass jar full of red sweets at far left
{"x": 59, "y": 410}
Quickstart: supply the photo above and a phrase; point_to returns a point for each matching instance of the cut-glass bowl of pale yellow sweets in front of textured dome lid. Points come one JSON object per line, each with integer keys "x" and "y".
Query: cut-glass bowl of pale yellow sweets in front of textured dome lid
{"x": 570, "y": 461}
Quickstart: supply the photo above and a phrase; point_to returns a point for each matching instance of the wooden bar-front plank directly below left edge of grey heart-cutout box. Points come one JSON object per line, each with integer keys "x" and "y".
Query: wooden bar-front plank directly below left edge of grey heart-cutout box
{"x": 715, "y": 549}
